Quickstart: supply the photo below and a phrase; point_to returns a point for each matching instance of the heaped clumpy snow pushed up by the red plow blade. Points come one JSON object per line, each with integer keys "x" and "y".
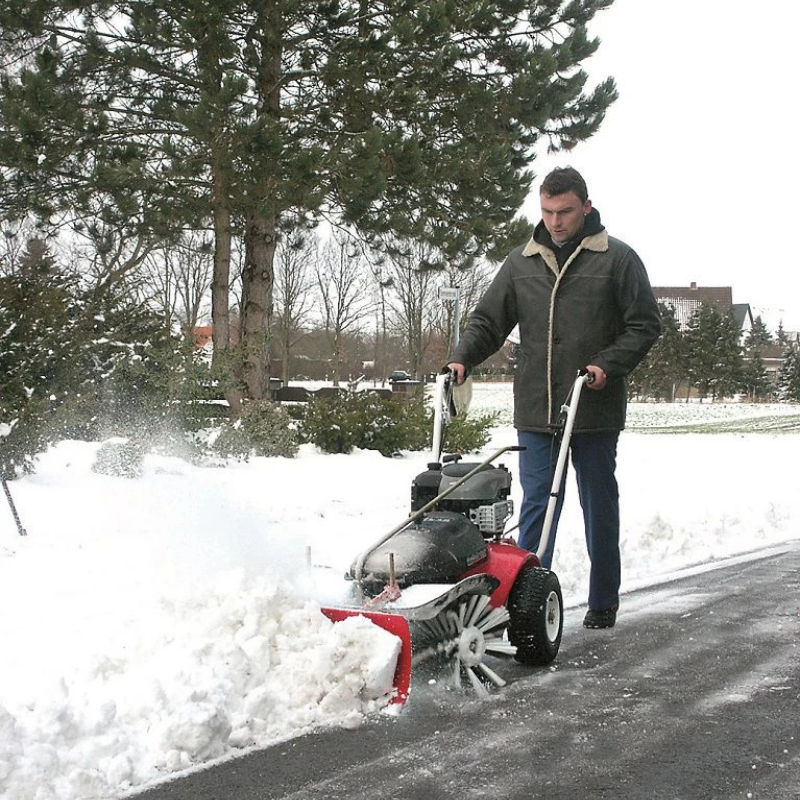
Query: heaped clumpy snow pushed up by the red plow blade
{"x": 229, "y": 667}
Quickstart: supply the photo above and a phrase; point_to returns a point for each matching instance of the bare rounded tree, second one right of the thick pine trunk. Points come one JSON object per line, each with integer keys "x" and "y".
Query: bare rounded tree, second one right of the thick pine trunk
{"x": 344, "y": 285}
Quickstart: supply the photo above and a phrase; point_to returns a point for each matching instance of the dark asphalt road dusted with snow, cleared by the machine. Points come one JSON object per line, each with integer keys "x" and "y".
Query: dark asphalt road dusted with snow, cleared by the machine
{"x": 694, "y": 695}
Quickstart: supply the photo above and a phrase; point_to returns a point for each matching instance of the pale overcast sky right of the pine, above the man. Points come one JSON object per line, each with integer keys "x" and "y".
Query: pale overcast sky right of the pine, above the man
{"x": 696, "y": 165}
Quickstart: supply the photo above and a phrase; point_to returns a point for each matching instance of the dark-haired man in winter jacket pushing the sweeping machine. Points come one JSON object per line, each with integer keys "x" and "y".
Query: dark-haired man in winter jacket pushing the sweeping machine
{"x": 582, "y": 299}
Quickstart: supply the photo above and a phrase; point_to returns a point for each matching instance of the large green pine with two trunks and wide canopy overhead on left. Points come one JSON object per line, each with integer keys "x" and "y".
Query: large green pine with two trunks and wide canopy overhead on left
{"x": 400, "y": 118}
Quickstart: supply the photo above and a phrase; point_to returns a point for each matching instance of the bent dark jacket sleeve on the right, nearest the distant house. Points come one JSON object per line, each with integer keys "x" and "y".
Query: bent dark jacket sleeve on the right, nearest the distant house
{"x": 640, "y": 319}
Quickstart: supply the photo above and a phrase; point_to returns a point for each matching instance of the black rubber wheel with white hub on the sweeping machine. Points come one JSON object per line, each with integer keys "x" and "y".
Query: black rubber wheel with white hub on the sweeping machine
{"x": 535, "y": 606}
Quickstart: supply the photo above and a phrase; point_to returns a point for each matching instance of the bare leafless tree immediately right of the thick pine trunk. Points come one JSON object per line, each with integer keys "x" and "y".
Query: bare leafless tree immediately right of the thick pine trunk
{"x": 293, "y": 283}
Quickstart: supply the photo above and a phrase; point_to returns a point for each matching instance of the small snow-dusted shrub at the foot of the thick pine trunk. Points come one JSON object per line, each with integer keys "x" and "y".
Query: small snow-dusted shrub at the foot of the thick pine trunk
{"x": 264, "y": 429}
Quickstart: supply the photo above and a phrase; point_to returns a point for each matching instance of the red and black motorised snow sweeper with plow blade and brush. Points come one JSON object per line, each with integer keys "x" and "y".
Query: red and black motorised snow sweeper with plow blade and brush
{"x": 449, "y": 581}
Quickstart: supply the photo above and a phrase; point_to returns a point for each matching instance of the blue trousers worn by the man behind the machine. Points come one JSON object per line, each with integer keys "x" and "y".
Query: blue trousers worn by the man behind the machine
{"x": 594, "y": 457}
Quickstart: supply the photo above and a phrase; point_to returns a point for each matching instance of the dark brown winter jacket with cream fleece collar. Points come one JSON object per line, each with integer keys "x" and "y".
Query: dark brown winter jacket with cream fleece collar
{"x": 598, "y": 309}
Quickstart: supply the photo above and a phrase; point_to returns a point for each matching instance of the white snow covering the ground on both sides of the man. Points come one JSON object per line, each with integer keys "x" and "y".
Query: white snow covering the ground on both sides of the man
{"x": 156, "y": 624}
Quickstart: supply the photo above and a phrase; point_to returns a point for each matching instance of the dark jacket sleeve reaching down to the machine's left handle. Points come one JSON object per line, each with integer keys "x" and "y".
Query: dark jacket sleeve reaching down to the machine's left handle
{"x": 490, "y": 323}
